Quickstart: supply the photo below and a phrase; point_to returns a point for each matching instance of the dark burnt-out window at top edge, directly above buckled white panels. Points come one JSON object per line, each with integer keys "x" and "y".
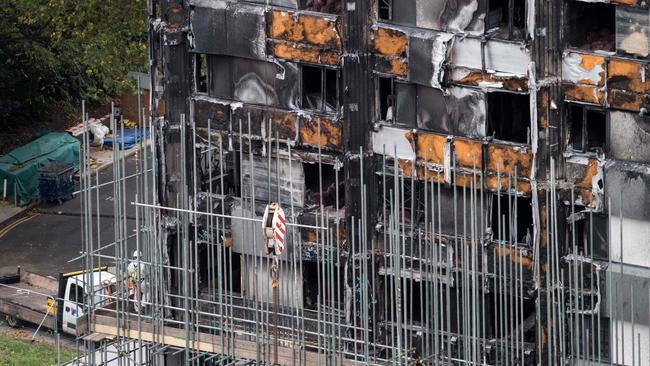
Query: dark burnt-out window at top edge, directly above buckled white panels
{"x": 507, "y": 18}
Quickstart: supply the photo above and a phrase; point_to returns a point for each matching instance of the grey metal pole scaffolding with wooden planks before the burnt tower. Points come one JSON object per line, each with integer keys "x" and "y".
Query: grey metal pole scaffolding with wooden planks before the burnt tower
{"x": 413, "y": 295}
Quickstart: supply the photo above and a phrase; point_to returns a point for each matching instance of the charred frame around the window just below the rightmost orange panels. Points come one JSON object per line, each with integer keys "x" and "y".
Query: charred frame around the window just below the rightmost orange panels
{"x": 584, "y": 136}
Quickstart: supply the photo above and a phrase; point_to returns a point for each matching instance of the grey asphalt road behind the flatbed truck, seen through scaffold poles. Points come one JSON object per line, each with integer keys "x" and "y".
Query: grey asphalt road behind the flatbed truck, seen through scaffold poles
{"x": 47, "y": 242}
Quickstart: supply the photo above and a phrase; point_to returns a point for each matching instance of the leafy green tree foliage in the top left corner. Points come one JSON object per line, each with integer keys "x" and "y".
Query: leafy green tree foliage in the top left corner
{"x": 54, "y": 53}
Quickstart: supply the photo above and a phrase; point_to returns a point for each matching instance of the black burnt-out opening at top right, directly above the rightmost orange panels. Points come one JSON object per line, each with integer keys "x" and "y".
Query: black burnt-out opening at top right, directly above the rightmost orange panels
{"x": 590, "y": 25}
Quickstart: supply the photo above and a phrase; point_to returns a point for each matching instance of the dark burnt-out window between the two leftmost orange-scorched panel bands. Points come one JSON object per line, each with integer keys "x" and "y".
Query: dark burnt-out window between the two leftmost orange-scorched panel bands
{"x": 319, "y": 88}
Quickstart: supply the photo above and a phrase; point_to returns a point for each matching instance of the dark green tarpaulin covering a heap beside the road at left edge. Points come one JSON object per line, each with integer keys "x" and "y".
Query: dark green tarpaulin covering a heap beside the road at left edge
{"x": 20, "y": 166}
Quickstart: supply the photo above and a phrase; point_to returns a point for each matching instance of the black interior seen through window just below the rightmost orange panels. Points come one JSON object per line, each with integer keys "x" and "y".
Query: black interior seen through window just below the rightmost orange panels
{"x": 587, "y": 128}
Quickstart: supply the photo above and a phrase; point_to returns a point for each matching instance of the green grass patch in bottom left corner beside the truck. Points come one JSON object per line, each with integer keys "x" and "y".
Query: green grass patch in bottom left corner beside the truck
{"x": 17, "y": 352}
